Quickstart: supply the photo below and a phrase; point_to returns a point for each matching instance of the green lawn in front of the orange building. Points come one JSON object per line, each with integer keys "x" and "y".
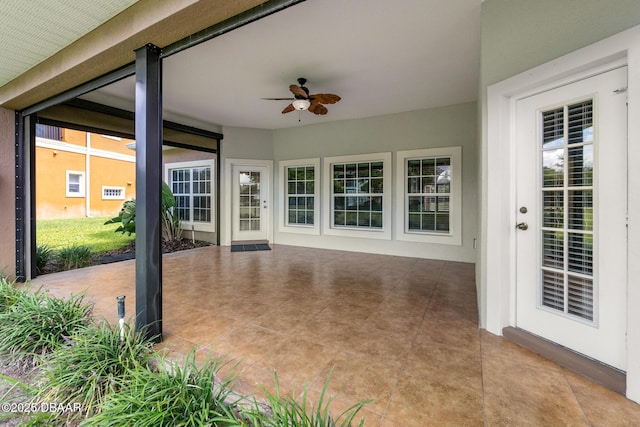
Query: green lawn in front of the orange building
{"x": 62, "y": 233}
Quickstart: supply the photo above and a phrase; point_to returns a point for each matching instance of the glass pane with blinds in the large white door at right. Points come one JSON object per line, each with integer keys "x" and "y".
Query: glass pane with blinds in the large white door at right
{"x": 567, "y": 200}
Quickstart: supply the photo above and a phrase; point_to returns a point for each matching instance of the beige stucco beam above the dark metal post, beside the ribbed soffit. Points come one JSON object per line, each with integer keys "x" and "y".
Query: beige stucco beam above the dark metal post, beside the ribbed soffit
{"x": 112, "y": 45}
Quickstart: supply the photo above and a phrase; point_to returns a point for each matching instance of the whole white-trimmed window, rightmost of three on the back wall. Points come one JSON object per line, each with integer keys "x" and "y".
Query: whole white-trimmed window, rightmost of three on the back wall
{"x": 429, "y": 181}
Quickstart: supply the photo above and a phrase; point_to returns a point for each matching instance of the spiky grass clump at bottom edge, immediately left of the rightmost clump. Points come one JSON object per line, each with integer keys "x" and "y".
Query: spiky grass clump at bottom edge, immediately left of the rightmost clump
{"x": 175, "y": 395}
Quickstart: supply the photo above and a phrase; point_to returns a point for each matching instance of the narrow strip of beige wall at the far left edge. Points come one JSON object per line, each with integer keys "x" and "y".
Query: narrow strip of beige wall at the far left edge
{"x": 7, "y": 194}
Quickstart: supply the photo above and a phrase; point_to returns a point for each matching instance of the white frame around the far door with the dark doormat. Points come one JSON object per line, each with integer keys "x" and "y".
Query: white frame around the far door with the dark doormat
{"x": 226, "y": 220}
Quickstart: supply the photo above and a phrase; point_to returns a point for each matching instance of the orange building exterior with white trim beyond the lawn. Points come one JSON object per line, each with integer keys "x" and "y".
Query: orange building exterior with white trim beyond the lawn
{"x": 80, "y": 174}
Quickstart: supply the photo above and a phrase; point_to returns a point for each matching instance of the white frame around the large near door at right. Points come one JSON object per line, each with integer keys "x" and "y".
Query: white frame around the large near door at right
{"x": 497, "y": 263}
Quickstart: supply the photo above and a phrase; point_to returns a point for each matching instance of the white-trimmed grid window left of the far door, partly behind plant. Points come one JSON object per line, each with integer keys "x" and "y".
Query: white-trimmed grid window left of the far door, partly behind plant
{"x": 192, "y": 186}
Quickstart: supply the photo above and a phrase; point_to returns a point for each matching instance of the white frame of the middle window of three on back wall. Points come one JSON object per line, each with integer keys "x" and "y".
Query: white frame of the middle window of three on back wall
{"x": 328, "y": 211}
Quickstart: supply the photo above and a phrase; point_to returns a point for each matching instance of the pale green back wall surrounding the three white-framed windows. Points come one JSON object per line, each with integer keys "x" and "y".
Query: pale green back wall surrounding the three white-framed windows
{"x": 433, "y": 128}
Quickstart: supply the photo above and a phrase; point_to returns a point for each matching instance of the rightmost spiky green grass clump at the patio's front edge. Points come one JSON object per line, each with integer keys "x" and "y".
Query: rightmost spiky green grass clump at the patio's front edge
{"x": 288, "y": 411}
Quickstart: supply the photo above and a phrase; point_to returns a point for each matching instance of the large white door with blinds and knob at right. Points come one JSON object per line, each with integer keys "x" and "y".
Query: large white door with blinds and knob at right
{"x": 571, "y": 205}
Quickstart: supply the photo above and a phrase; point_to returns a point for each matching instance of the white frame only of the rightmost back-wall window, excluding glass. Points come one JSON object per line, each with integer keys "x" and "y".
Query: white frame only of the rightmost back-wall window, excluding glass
{"x": 454, "y": 236}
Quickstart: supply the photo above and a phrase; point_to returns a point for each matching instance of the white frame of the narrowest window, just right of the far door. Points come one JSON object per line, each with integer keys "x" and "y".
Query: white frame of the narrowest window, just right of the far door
{"x": 284, "y": 225}
